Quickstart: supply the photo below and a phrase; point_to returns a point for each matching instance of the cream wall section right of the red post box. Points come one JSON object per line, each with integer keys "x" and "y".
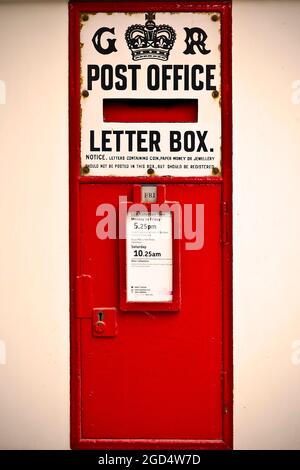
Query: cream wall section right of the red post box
{"x": 266, "y": 38}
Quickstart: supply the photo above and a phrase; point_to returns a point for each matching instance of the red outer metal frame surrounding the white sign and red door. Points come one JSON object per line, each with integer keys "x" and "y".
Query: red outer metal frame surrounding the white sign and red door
{"x": 75, "y": 9}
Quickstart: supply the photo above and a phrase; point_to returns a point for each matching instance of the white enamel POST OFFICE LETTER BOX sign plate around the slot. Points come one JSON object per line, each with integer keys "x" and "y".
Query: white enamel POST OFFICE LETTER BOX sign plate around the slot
{"x": 134, "y": 56}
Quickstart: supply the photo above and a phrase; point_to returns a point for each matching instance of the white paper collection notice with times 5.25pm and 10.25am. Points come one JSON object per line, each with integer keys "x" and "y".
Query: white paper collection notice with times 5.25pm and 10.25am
{"x": 149, "y": 254}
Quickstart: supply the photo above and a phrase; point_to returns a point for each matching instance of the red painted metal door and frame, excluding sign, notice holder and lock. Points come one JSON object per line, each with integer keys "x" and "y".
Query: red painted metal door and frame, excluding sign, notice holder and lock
{"x": 165, "y": 380}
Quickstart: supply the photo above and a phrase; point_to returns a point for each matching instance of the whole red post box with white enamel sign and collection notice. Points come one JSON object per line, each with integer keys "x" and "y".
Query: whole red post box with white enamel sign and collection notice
{"x": 150, "y": 225}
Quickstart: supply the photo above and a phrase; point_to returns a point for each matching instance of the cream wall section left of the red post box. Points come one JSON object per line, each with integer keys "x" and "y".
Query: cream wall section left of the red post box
{"x": 34, "y": 408}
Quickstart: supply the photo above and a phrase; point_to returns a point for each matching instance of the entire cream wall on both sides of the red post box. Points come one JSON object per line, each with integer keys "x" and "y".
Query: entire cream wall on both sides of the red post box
{"x": 34, "y": 334}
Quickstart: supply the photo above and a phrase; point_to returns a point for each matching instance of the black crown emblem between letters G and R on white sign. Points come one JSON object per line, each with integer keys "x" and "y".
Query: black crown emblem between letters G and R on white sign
{"x": 150, "y": 41}
